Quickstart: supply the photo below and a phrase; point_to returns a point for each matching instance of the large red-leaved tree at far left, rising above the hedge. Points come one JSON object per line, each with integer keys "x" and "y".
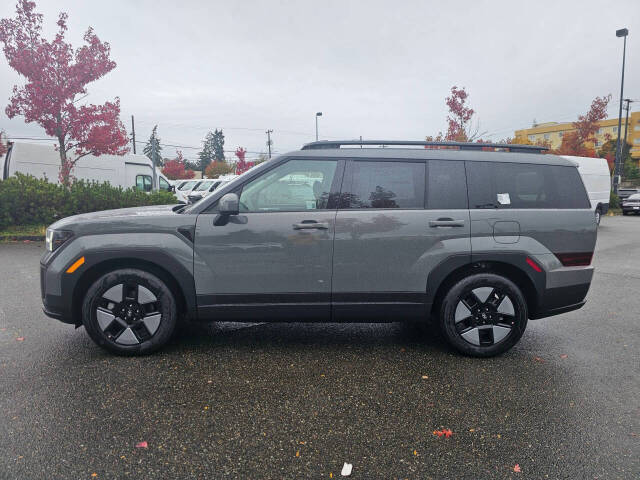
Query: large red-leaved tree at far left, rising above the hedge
{"x": 56, "y": 78}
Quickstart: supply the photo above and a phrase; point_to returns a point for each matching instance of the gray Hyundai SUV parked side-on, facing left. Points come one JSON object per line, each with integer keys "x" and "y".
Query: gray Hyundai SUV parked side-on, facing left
{"x": 479, "y": 241}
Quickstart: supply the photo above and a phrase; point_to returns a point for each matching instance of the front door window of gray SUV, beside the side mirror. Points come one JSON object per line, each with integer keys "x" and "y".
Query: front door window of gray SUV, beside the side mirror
{"x": 293, "y": 186}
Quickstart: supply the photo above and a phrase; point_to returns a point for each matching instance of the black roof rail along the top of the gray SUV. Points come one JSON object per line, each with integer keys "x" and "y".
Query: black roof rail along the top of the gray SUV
{"x": 511, "y": 147}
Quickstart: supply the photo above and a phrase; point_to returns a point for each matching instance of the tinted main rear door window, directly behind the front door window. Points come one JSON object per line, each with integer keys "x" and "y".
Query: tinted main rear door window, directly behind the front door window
{"x": 370, "y": 184}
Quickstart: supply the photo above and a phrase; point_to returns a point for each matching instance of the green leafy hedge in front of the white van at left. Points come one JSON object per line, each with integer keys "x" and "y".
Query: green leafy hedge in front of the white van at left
{"x": 26, "y": 200}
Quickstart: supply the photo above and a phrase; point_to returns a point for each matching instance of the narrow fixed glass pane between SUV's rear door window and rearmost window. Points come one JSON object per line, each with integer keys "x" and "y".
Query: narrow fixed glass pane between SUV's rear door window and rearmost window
{"x": 446, "y": 185}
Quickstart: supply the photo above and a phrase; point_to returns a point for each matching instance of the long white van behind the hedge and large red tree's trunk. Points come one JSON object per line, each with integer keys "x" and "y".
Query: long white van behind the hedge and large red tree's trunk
{"x": 41, "y": 160}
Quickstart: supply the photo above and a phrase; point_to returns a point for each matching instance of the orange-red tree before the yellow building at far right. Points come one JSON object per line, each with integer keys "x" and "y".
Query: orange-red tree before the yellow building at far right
{"x": 581, "y": 140}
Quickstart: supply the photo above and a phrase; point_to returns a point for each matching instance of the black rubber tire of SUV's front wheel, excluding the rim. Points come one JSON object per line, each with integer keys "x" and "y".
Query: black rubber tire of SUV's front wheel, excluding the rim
{"x": 155, "y": 285}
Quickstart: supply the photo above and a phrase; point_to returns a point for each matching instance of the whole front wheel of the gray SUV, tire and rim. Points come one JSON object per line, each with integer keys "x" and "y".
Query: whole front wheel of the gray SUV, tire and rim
{"x": 129, "y": 312}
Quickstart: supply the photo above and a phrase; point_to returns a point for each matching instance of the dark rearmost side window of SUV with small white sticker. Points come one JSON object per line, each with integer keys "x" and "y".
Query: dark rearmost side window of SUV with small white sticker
{"x": 524, "y": 185}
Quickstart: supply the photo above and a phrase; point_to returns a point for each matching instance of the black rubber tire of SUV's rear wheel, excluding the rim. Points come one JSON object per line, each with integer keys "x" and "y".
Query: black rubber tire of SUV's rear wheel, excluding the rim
{"x": 450, "y": 302}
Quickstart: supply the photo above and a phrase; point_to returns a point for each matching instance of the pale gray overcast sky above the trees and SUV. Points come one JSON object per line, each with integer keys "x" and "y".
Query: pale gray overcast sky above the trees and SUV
{"x": 380, "y": 69}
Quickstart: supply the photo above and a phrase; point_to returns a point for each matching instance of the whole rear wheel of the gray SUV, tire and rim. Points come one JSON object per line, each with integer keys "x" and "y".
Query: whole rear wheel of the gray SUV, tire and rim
{"x": 483, "y": 315}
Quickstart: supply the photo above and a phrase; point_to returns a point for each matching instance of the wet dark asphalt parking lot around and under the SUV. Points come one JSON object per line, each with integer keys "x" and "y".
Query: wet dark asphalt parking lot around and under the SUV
{"x": 298, "y": 400}
